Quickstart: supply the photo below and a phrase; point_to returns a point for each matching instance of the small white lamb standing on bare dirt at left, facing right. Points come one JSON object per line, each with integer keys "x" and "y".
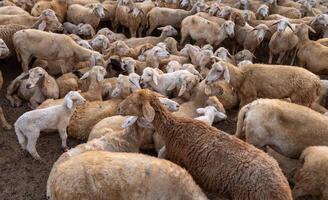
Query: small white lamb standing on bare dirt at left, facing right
{"x": 29, "y": 125}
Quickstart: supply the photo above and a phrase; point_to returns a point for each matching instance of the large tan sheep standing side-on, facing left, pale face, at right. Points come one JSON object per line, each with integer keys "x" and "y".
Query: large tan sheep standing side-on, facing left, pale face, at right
{"x": 300, "y": 85}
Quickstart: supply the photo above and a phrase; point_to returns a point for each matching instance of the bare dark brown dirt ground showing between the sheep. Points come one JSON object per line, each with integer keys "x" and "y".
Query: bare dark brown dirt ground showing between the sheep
{"x": 21, "y": 177}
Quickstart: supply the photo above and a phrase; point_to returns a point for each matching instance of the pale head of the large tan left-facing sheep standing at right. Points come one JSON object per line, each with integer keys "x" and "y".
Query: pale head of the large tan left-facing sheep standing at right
{"x": 216, "y": 72}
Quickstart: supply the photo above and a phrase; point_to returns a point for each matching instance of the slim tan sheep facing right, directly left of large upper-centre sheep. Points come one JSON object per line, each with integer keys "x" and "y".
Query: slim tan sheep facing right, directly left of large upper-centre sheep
{"x": 167, "y": 31}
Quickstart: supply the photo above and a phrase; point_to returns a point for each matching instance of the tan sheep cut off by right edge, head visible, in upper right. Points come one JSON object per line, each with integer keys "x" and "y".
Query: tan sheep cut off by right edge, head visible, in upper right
{"x": 310, "y": 54}
